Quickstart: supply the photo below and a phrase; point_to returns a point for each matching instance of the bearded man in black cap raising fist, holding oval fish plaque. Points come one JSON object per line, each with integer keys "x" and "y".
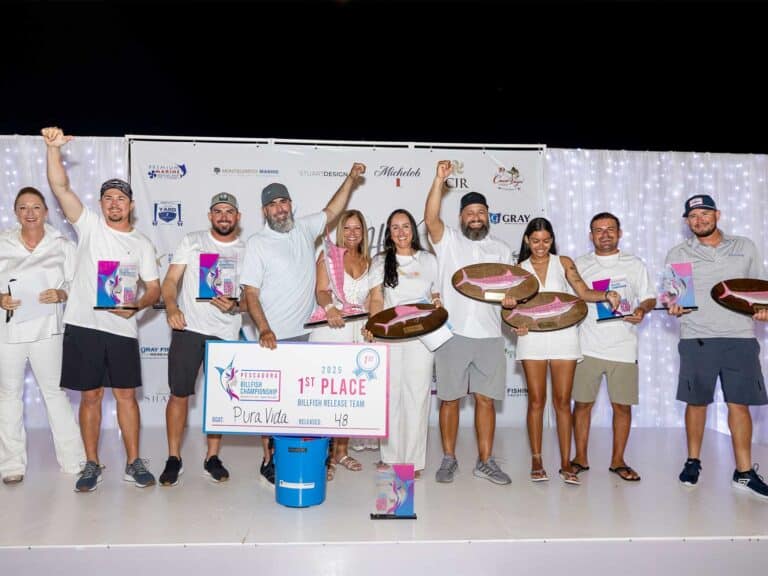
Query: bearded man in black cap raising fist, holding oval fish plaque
{"x": 473, "y": 360}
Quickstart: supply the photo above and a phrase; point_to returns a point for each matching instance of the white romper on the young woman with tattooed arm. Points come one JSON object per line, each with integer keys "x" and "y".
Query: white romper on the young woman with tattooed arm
{"x": 557, "y": 344}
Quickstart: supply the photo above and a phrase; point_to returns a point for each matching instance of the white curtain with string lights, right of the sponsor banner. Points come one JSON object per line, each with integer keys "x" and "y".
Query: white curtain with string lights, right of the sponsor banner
{"x": 646, "y": 190}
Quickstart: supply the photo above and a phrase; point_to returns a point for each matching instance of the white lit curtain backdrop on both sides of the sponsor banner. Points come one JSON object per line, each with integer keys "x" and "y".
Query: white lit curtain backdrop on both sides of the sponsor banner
{"x": 645, "y": 189}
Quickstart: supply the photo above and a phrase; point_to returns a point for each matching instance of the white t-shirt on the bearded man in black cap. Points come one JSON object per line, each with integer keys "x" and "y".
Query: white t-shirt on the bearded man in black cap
{"x": 468, "y": 317}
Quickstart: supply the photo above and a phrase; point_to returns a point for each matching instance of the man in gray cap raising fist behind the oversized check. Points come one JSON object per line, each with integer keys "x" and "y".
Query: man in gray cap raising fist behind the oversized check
{"x": 279, "y": 272}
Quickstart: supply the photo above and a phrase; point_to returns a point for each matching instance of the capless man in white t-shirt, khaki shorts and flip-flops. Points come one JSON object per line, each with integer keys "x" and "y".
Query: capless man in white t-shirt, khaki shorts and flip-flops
{"x": 610, "y": 346}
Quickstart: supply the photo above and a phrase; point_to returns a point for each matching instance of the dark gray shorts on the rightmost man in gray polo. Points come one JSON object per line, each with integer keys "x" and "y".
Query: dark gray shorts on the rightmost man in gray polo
{"x": 735, "y": 360}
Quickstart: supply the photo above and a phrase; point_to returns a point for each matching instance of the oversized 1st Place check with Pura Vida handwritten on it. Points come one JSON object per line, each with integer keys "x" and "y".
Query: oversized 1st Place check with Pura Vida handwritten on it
{"x": 298, "y": 388}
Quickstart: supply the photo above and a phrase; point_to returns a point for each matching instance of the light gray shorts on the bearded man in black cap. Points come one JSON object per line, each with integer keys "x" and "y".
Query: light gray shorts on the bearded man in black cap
{"x": 471, "y": 365}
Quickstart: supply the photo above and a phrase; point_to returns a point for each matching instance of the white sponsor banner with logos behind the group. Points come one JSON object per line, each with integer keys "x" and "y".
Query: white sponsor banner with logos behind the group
{"x": 171, "y": 202}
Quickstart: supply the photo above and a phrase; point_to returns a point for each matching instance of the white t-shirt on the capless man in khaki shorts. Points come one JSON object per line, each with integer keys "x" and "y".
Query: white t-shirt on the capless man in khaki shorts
{"x": 613, "y": 340}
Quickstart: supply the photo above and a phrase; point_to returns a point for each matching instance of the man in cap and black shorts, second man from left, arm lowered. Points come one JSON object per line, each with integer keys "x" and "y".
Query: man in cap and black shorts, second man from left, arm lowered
{"x": 207, "y": 263}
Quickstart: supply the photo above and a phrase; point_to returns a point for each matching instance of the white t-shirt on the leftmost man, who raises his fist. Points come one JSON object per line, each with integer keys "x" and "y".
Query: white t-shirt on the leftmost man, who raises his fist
{"x": 97, "y": 241}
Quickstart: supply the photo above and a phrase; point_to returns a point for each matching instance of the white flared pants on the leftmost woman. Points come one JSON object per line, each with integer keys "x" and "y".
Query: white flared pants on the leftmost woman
{"x": 45, "y": 359}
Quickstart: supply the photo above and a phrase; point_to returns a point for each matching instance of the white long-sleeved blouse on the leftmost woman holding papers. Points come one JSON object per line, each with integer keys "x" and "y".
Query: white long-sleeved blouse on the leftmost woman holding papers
{"x": 53, "y": 258}
